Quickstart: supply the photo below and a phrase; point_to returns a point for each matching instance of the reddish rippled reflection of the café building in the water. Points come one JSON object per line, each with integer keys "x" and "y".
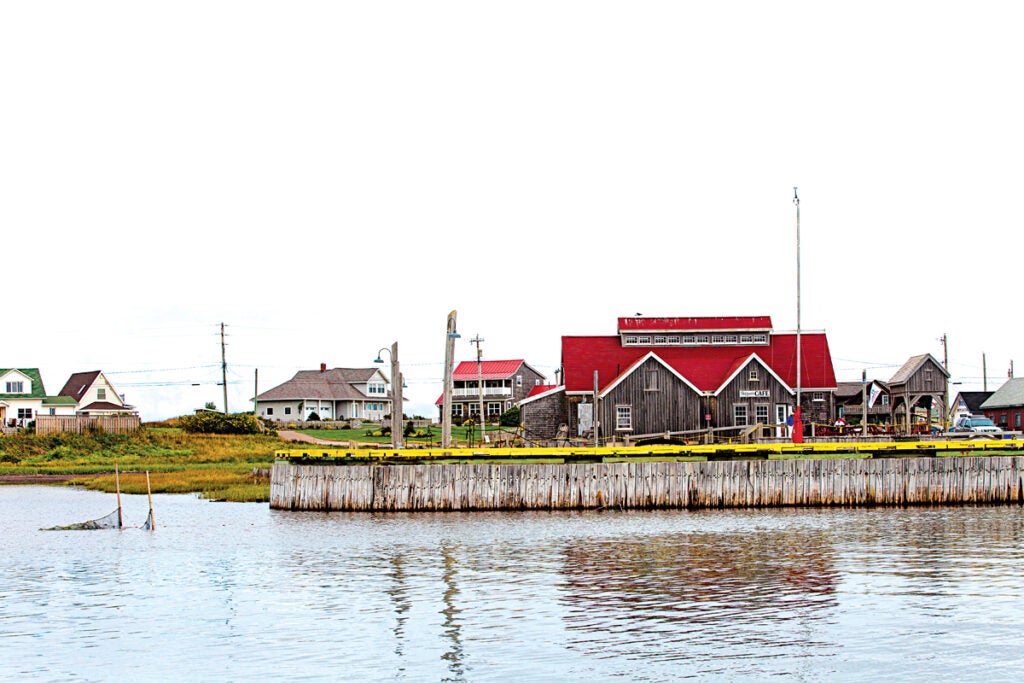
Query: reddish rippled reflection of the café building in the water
{"x": 669, "y": 596}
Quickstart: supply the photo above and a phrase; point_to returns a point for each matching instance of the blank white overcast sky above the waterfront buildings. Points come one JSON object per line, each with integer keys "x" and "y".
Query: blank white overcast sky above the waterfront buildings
{"x": 326, "y": 179}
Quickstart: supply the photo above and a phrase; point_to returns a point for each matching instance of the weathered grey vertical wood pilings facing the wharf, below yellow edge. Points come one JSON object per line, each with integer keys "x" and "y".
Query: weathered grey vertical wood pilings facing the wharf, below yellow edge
{"x": 894, "y": 482}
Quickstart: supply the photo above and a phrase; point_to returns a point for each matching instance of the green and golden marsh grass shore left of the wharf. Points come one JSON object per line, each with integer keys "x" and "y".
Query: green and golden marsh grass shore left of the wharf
{"x": 217, "y": 467}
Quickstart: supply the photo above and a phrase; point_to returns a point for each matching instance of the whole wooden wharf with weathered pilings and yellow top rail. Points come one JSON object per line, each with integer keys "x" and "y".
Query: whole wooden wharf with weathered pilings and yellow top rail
{"x": 700, "y": 477}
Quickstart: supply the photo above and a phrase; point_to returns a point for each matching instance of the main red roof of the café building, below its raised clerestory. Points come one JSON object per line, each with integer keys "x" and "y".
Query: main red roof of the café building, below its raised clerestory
{"x": 706, "y": 367}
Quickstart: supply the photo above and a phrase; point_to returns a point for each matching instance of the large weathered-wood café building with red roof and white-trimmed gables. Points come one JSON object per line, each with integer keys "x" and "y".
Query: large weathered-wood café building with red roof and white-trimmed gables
{"x": 671, "y": 375}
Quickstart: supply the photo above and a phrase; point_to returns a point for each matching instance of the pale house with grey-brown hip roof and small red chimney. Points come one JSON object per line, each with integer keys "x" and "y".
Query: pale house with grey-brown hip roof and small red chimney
{"x": 339, "y": 394}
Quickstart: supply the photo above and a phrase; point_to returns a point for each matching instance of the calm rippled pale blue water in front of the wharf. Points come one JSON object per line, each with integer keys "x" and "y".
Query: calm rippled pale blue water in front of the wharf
{"x": 238, "y": 592}
